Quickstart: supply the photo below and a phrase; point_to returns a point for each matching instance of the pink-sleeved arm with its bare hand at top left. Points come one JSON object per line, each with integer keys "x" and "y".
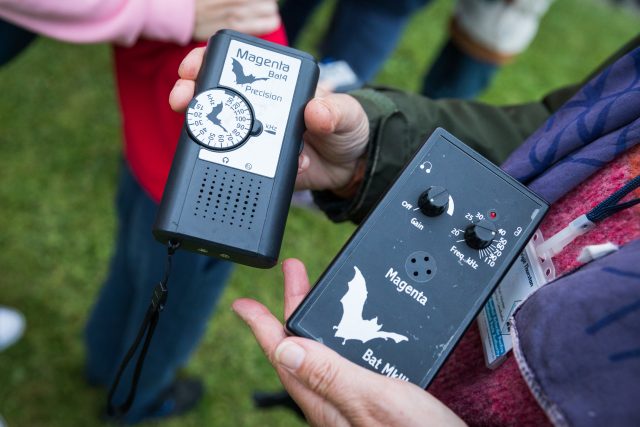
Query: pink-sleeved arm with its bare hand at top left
{"x": 125, "y": 21}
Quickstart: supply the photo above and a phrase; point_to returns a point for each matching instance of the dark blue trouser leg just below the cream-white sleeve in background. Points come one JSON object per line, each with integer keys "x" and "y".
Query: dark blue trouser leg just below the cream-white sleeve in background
{"x": 456, "y": 74}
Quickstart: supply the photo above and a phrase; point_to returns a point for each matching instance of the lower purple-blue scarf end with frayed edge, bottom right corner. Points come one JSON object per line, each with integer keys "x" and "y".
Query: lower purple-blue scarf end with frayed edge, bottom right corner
{"x": 578, "y": 343}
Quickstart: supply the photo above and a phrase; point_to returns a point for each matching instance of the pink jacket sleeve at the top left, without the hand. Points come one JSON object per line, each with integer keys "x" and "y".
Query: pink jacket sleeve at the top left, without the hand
{"x": 118, "y": 21}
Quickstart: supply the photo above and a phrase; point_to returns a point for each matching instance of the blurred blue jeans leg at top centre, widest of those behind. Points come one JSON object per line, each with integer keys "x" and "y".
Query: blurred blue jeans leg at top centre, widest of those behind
{"x": 364, "y": 33}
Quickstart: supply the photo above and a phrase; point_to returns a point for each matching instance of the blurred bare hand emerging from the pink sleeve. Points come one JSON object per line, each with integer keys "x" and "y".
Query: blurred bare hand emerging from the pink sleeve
{"x": 246, "y": 16}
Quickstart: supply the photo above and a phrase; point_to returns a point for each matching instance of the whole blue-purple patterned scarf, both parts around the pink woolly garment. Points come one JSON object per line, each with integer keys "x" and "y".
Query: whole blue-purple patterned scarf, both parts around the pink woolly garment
{"x": 577, "y": 339}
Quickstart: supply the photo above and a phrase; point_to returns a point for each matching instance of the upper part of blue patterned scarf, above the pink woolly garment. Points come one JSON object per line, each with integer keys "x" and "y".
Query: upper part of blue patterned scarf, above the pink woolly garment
{"x": 598, "y": 123}
